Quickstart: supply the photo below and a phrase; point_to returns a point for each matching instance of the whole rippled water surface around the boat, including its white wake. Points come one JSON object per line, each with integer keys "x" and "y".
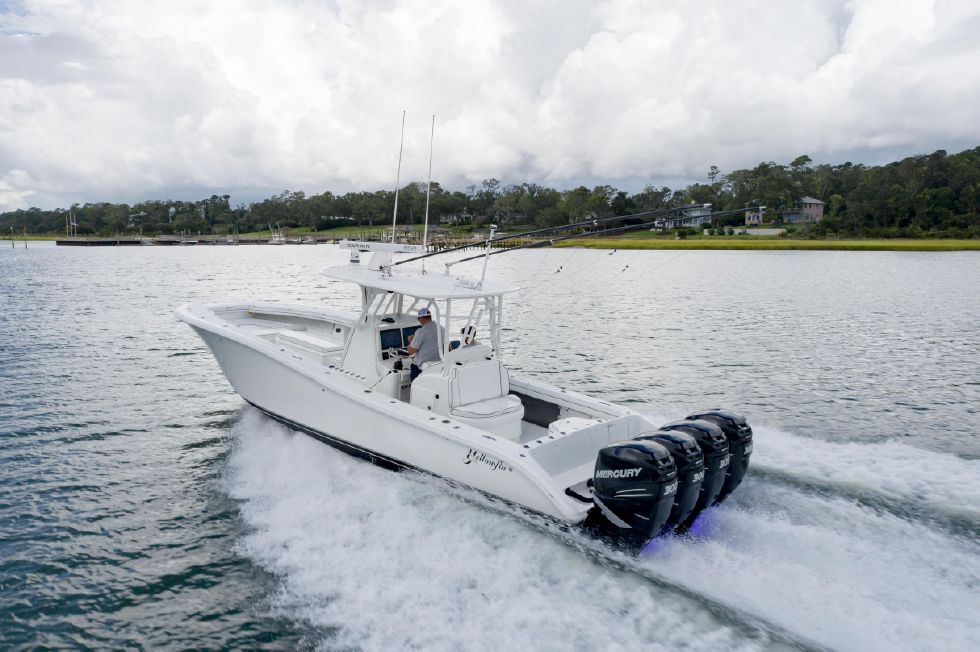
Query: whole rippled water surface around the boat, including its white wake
{"x": 143, "y": 504}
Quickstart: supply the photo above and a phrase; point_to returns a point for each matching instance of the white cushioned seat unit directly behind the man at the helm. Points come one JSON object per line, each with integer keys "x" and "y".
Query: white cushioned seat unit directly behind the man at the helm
{"x": 472, "y": 387}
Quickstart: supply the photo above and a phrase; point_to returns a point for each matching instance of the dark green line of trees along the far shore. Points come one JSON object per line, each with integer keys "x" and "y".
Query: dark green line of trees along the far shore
{"x": 933, "y": 195}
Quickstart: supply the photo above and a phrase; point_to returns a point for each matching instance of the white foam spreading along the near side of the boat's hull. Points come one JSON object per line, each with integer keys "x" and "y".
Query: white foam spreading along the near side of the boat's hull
{"x": 389, "y": 561}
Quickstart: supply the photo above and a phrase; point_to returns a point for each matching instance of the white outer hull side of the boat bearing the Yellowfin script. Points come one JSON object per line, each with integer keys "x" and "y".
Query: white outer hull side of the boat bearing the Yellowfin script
{"x": 336, "y": 407}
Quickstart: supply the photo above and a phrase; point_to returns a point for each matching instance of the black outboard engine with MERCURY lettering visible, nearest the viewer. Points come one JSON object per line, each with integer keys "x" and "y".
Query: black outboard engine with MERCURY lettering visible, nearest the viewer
{"x": 634, "y": 486}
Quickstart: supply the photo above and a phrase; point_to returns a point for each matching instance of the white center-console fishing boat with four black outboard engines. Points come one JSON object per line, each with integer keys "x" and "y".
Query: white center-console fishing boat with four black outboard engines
{"x": 343, "y": 377}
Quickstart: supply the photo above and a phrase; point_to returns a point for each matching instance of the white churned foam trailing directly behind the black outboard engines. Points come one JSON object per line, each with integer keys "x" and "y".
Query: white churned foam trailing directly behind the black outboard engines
{"x": 832, "y": 571}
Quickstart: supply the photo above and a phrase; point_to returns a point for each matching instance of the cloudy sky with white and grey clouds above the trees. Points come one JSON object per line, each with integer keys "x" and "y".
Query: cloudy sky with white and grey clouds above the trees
{"x": 114, "y": 100}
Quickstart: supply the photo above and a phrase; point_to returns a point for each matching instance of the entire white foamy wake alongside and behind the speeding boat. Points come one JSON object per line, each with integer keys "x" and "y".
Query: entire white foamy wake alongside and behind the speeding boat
{"x": 375, "y": 559}
